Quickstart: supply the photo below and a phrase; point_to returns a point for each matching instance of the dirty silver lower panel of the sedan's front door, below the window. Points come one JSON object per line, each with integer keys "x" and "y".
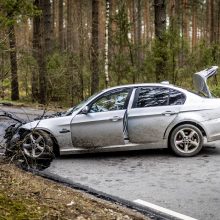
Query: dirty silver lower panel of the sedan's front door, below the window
{"x": 98, "y": 129}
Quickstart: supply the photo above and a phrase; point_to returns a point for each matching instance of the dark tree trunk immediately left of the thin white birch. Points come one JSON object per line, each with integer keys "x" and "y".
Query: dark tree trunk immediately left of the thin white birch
{"x": 95, "y": 47}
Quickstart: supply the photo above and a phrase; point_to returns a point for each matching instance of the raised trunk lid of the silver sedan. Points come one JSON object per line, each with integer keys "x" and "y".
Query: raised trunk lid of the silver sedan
{"x": 200, "y": 80}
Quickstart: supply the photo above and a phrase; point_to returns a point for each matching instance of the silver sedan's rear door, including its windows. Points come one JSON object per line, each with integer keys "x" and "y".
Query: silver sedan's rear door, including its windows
{"x": 154, "y": 108}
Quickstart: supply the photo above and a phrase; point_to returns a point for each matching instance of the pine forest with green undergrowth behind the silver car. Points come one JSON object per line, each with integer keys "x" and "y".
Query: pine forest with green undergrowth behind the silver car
{"x": 63, "y": 51}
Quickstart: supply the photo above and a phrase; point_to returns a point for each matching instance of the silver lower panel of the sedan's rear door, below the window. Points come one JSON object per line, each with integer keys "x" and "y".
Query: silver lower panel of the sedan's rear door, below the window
{"x": 147, "y": 125}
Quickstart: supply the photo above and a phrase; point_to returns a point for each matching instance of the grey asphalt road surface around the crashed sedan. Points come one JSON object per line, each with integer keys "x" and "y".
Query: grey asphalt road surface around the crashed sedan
{"x": 190, "y": 186}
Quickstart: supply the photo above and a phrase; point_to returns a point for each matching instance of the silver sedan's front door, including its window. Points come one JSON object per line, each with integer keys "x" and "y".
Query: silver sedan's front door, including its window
{"x": 103, "y": 124}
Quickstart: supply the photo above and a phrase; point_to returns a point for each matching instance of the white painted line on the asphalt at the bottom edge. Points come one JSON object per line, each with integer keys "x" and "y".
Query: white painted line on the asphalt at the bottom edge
{"x": 163, "y": 210}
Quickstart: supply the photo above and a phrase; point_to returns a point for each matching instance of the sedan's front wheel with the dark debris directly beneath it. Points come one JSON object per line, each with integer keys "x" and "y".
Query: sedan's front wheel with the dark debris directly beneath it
{"x": 37, "y": 148}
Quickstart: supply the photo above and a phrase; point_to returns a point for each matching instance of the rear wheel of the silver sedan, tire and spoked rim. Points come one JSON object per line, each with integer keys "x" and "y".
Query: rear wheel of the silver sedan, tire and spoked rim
{"x": 186, "y": 140}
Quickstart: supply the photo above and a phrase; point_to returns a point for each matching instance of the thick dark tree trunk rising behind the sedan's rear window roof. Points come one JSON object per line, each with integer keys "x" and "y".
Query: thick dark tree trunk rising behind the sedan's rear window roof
{"x": 161, "y": 44}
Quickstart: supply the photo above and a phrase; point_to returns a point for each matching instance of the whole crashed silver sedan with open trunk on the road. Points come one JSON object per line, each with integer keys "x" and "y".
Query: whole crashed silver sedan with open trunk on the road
{"x": 130, "y": 117}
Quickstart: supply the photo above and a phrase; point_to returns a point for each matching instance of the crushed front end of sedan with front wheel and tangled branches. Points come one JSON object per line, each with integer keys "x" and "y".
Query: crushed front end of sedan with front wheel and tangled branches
{"x": 30, "y": 149}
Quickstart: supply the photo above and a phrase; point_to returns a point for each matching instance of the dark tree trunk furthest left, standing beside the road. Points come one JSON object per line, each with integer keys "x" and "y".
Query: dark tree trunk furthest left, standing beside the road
{"x": 13, "y": 60}
